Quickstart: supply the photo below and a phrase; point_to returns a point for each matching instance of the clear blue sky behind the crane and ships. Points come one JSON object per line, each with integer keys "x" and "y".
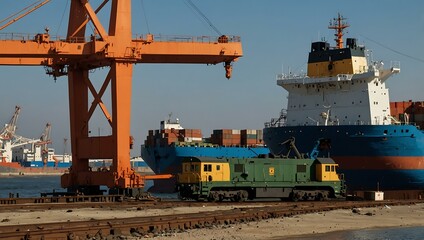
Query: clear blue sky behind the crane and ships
{"x": 274, "y": 33}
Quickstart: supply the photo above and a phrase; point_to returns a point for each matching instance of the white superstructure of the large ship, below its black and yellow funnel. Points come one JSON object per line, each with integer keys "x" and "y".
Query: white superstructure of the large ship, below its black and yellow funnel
{"x": 343, "y": 99}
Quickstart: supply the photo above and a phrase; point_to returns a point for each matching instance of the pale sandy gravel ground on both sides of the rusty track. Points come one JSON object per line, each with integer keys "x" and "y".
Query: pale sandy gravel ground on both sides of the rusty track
{"x": 278, "y": 228}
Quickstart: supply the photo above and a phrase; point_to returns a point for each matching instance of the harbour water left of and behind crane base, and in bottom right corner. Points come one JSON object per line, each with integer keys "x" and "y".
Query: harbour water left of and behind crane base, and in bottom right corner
{"x": 32, "y": 186}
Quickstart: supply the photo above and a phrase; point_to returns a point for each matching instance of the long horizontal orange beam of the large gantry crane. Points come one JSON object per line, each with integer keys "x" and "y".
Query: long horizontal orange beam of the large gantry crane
{"x": 97, "y": 53}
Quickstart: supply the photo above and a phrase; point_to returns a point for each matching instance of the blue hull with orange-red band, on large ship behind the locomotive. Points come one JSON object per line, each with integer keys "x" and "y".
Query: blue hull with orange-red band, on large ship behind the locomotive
{"x": 387, "y": 157}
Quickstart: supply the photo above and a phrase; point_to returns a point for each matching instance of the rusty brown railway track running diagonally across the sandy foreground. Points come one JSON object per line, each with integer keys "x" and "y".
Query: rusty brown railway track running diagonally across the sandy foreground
{"x": 142, "y": 226}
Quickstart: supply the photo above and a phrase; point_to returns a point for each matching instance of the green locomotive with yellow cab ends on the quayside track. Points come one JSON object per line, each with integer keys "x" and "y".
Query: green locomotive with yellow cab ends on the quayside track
{"x": 238, "y": 179}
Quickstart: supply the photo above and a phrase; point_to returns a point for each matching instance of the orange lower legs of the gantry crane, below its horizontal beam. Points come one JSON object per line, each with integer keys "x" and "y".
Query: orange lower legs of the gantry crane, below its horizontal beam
{"x": 116, "y": 146}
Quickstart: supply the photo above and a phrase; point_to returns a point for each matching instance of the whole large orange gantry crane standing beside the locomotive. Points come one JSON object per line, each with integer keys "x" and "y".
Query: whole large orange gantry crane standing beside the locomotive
{"x": 115, "y": 49}
